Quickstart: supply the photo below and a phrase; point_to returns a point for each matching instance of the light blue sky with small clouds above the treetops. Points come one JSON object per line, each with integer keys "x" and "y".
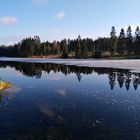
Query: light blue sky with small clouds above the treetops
{"x": 58, "y": 19}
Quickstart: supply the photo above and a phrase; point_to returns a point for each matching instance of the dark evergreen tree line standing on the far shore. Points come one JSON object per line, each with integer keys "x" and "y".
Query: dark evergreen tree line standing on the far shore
{"x": 124, "y": 45}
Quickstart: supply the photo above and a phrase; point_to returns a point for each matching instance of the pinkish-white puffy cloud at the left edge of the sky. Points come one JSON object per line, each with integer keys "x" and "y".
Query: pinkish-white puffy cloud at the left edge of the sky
{"x": 8, "y": 20}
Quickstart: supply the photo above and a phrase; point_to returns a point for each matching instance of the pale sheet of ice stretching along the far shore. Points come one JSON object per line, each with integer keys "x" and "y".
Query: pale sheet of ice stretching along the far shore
{"x": 132, "y": 65}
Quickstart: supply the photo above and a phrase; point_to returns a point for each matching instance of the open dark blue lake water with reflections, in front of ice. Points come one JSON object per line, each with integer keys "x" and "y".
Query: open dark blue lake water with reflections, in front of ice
{"x": 58, "y": 102}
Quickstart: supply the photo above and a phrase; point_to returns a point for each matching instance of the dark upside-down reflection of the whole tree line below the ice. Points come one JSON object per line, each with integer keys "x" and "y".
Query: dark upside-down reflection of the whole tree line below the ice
{"x": 123, "y": 78}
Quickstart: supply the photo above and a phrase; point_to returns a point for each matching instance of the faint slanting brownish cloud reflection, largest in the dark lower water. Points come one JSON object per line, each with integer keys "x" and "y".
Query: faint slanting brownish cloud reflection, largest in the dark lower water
{"x": 45, "y": 109}
